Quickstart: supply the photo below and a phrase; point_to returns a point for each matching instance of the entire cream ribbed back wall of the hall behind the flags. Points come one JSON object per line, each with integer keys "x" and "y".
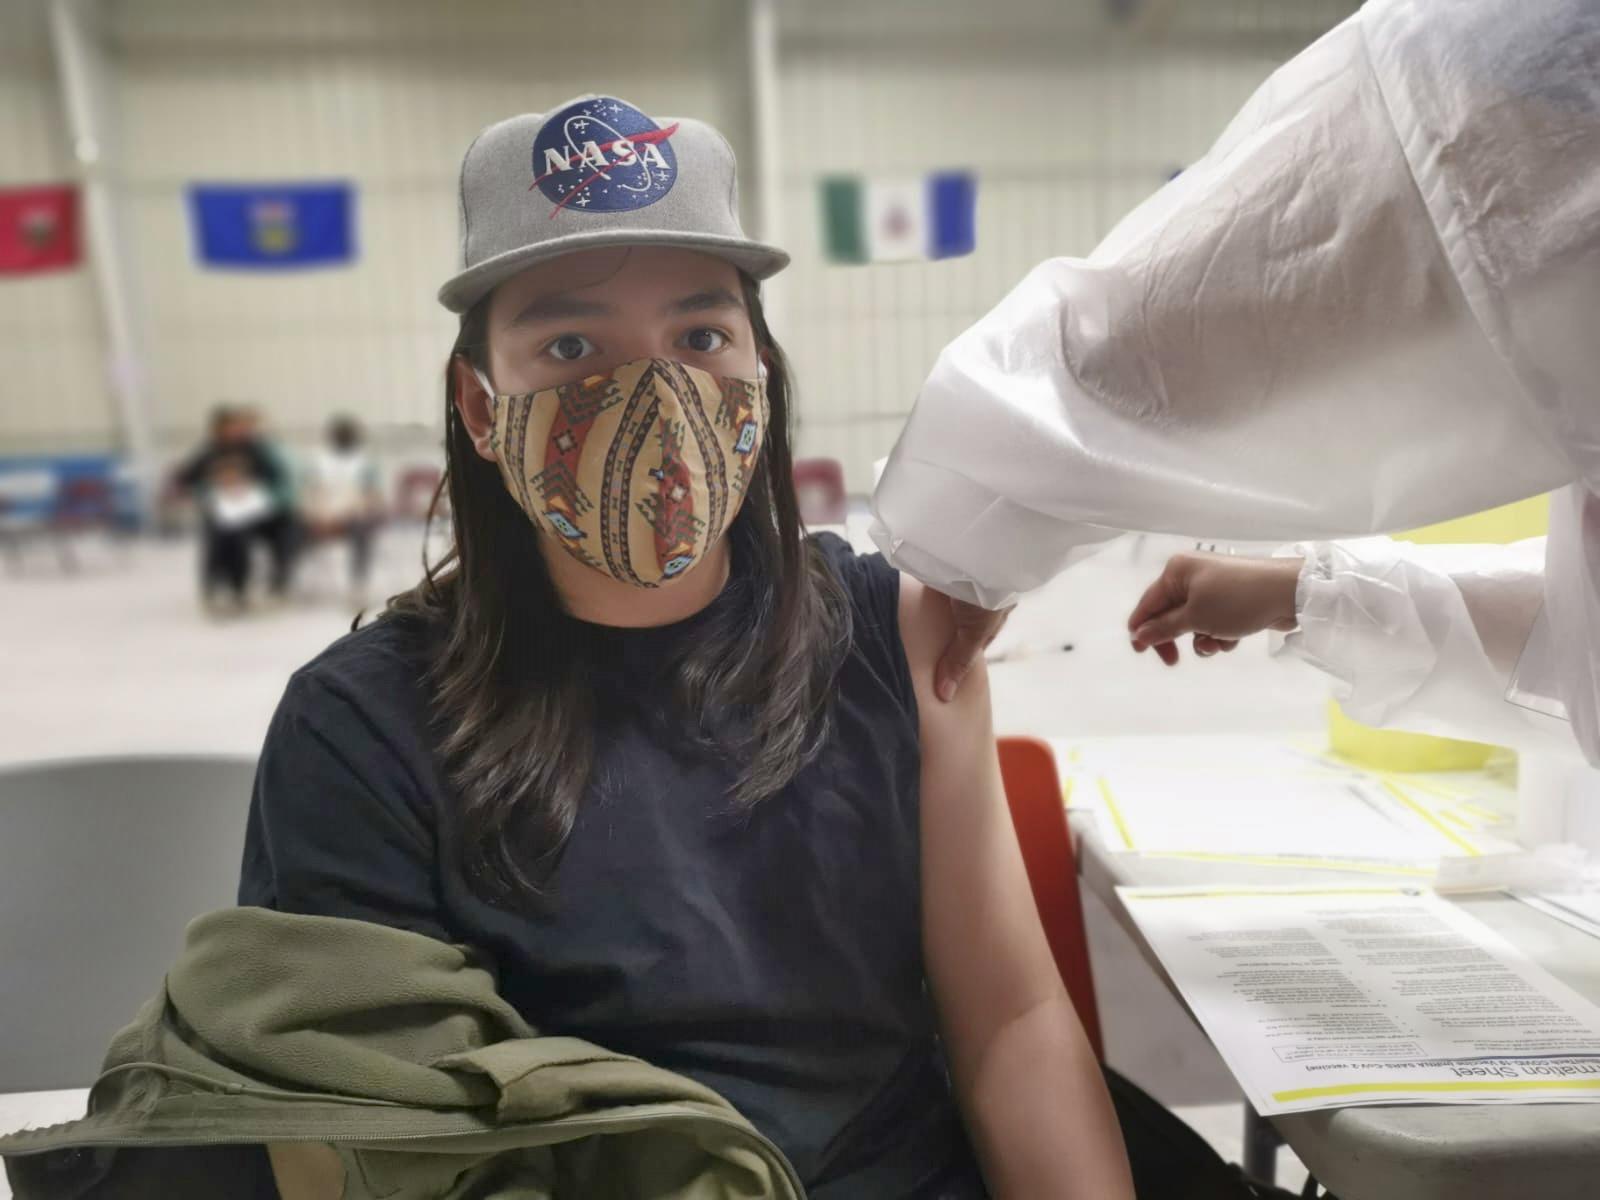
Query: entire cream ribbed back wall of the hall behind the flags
{"x": 1066, "y": 118}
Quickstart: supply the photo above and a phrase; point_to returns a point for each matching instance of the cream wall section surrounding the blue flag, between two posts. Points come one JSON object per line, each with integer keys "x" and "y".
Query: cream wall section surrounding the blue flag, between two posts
{"x": 382, "y": 94}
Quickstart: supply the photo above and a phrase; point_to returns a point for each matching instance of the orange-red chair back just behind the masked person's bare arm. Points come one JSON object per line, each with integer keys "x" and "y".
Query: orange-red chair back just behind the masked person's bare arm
{"x": 1039, "y": 812}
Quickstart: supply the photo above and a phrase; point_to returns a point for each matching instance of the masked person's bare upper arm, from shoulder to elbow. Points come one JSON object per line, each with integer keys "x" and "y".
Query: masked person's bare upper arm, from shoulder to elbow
{"x": 986, "y": 951}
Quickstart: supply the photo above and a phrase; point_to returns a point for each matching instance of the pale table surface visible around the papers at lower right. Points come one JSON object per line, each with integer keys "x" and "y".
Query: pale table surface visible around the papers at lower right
{"x": 1410, "y": 1153}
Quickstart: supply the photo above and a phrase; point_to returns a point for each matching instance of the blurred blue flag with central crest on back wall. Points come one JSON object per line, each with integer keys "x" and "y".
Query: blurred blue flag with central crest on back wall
{"x": 273, "y": 226}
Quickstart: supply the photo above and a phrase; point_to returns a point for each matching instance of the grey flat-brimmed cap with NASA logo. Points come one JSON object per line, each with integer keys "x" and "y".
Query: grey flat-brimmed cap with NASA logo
{"x": 596, "y": 172}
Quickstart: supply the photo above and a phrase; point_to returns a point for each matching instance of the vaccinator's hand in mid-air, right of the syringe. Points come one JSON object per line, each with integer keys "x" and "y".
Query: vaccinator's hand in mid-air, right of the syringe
{"x": 1218, "y": 599}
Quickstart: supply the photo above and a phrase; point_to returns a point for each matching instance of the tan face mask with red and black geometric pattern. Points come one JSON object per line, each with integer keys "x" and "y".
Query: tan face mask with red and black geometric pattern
{"x": 636, "y": 473}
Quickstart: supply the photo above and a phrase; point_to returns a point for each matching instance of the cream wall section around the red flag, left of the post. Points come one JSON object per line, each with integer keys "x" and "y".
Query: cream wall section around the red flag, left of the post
{"x": 54, "y": 388}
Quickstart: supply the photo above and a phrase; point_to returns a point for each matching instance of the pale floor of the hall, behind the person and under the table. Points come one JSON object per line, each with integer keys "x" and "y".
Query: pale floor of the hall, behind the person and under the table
{"x": 119, "y": 660}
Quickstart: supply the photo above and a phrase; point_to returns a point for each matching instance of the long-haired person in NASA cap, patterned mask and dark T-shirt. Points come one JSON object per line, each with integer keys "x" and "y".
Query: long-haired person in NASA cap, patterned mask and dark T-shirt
{"x": 671, "y": 764}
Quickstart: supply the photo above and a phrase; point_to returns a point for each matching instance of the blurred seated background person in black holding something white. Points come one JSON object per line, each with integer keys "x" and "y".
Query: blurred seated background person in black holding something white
{"x": 241, "y": 492}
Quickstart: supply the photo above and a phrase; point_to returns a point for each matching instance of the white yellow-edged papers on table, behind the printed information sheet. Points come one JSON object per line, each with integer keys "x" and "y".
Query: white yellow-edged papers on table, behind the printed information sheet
{"x": 1343, "y": 818}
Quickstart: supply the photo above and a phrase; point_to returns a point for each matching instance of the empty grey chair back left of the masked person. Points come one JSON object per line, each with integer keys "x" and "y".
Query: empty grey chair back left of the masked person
{"x": 103, "y": 863}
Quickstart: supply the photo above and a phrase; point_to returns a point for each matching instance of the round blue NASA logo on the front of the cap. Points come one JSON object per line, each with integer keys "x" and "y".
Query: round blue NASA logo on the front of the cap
{"x": 602, "y": 156}
